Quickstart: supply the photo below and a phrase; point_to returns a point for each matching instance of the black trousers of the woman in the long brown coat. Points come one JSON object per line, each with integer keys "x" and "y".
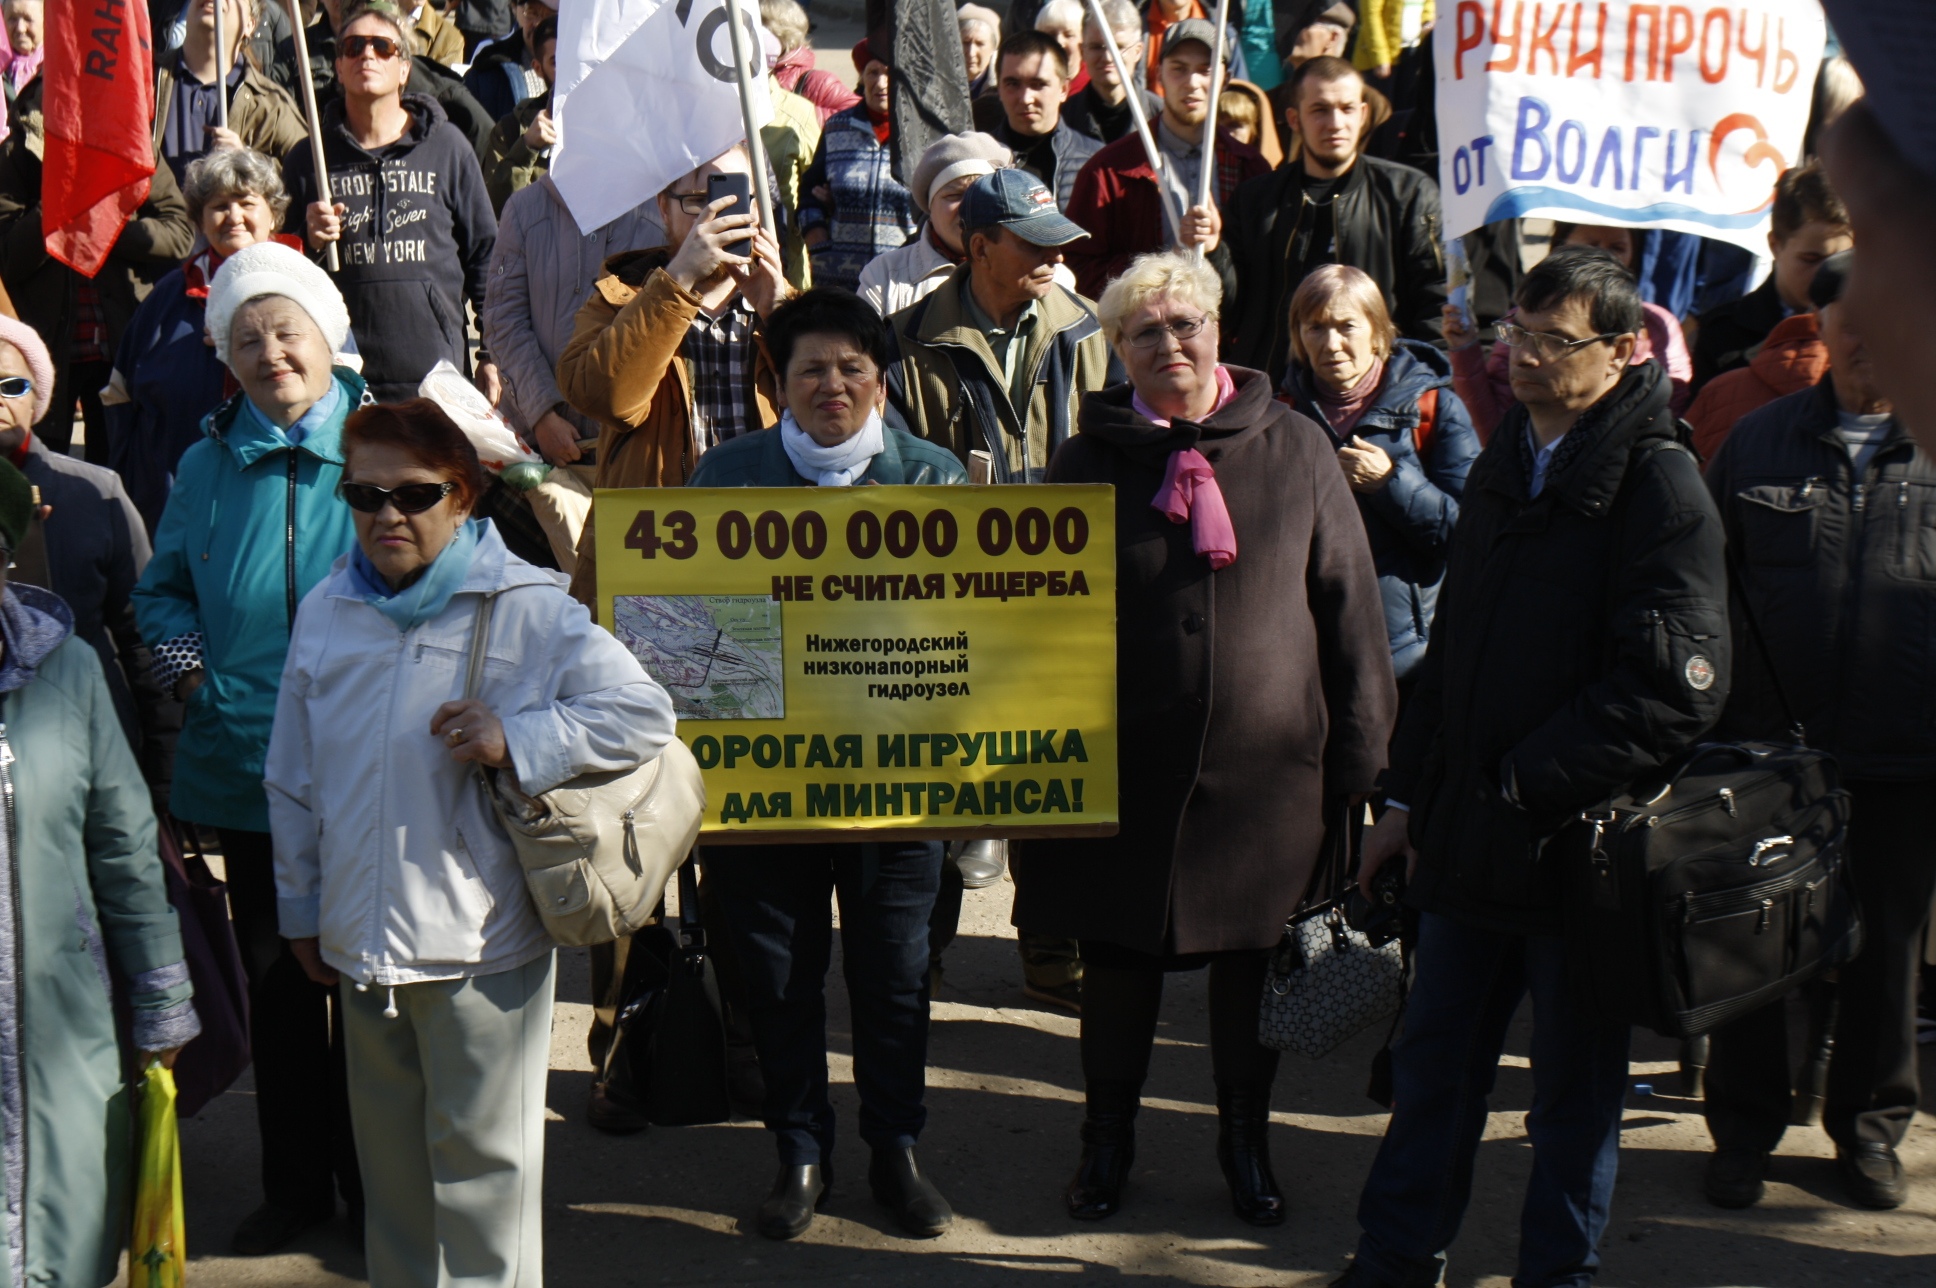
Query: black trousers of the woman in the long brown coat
{"x": 1124, "y": 993}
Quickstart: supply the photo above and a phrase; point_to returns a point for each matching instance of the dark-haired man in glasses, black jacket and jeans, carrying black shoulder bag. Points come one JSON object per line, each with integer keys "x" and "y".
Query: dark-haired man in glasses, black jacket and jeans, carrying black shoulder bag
{"x": 1581, "y": 642}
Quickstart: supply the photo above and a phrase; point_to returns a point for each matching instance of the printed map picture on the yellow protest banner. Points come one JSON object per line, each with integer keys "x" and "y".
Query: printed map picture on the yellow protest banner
{"x": 719, "y": 656}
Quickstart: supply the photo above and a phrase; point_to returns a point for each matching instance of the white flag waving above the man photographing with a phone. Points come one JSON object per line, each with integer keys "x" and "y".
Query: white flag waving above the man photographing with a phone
{"x": 646, "y": 94}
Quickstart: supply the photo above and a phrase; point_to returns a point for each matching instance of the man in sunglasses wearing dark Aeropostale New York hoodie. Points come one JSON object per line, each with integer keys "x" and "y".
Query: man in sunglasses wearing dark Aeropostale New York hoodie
{"x": 409, "y": 216}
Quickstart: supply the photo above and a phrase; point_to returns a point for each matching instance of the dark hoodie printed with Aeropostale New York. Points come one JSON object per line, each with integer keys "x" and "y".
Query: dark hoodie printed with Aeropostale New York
{"x": 417, "y": 241}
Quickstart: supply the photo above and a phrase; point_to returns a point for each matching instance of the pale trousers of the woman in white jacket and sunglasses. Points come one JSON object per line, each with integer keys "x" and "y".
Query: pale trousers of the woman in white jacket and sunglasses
{"x": 448, "y": 1109}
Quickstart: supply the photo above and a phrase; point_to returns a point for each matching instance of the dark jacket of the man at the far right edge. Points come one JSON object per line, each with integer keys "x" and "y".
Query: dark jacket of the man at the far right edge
{"x": 1842, "y": 576}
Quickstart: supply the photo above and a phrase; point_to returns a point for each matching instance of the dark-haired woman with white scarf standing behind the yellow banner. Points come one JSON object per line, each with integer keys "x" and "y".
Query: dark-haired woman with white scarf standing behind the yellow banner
{"x": 832, "y": 352}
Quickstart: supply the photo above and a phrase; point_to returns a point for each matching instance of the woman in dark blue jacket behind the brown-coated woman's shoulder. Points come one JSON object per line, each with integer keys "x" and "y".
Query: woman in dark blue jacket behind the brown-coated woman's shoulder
{"x": 1401, "y": 435}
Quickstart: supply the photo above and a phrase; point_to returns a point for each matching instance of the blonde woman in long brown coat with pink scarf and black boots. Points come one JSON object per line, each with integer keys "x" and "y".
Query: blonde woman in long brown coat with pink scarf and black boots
{"x": 1254, "y": 669}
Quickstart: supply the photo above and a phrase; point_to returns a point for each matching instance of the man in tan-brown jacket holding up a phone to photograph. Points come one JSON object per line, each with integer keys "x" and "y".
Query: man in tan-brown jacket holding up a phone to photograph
{"x": 667, "y": 352}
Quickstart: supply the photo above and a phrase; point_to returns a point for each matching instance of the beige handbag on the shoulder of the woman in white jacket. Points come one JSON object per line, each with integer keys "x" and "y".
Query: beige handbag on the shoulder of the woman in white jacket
{"x": 597, "y": 851}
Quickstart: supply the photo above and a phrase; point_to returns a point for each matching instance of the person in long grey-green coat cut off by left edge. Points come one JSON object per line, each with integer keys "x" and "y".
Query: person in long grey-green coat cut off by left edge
{"x": 80, "y": 896}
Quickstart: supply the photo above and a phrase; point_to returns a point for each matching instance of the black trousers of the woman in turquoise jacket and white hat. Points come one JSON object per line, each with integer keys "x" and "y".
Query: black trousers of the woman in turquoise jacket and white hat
{"x": 303, "y": 1105}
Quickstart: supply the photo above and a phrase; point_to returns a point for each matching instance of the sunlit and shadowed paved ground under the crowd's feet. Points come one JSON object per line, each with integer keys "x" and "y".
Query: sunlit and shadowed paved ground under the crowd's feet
{"x": 675, "y": 1206}
